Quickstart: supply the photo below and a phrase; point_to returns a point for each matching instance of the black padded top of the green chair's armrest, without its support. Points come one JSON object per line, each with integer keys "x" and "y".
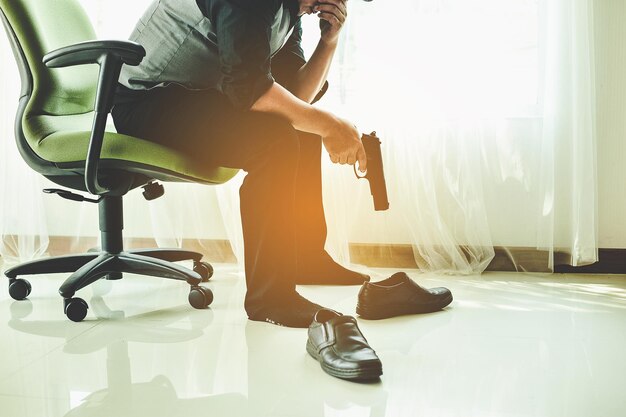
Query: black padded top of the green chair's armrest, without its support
{"x": 92, "y": 52}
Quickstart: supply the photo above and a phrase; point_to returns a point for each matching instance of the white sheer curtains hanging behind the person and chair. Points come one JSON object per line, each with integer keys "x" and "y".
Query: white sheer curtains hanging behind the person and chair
{"x": 486, "y": 112}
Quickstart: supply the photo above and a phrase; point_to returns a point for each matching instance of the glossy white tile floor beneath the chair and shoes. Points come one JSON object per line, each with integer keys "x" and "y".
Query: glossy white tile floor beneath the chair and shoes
{"x": 509, "y": 345}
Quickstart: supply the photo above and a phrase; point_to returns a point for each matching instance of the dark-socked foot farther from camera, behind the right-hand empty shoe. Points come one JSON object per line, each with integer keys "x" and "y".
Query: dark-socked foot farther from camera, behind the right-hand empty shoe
{"x": 326, "y": 271}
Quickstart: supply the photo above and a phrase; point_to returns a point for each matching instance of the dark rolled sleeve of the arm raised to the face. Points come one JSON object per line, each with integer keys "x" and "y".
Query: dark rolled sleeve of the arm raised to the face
{"x": 290, "y": 58}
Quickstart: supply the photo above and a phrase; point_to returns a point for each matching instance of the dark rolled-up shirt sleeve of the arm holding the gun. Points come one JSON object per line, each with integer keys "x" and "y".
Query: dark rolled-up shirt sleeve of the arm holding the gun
{"x": 243, "y": 31}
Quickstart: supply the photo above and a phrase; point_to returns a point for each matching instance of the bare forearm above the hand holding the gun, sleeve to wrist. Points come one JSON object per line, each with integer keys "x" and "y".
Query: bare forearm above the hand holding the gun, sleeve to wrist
{"x": 301, "y": 115}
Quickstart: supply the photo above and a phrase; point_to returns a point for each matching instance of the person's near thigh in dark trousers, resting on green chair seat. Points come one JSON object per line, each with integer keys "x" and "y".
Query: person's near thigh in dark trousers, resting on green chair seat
{"x": 205, "y": 125}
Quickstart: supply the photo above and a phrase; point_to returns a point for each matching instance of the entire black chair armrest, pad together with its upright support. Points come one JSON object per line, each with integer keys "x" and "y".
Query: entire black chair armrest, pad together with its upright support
{"x": 110, "y": 56}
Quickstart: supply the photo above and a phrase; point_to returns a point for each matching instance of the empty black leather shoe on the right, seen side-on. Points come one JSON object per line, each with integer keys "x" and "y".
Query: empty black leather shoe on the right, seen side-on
{"x": 398, "y": 295}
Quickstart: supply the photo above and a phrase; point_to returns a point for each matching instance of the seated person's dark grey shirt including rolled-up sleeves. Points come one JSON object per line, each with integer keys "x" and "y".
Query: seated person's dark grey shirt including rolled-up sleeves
{"x": 234, "y": 46}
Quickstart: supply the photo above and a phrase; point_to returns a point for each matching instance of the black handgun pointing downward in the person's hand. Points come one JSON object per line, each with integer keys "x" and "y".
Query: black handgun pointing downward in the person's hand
{"x": 375, "y": 173}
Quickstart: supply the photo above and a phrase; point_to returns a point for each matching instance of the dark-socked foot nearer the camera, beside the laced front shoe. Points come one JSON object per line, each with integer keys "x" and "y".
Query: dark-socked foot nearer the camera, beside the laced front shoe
{"x": 293, "y": 311}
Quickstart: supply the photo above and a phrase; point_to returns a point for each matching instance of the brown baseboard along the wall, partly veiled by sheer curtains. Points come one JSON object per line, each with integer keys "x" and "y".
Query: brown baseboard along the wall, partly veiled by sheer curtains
{"x": 510, "y": 259}
